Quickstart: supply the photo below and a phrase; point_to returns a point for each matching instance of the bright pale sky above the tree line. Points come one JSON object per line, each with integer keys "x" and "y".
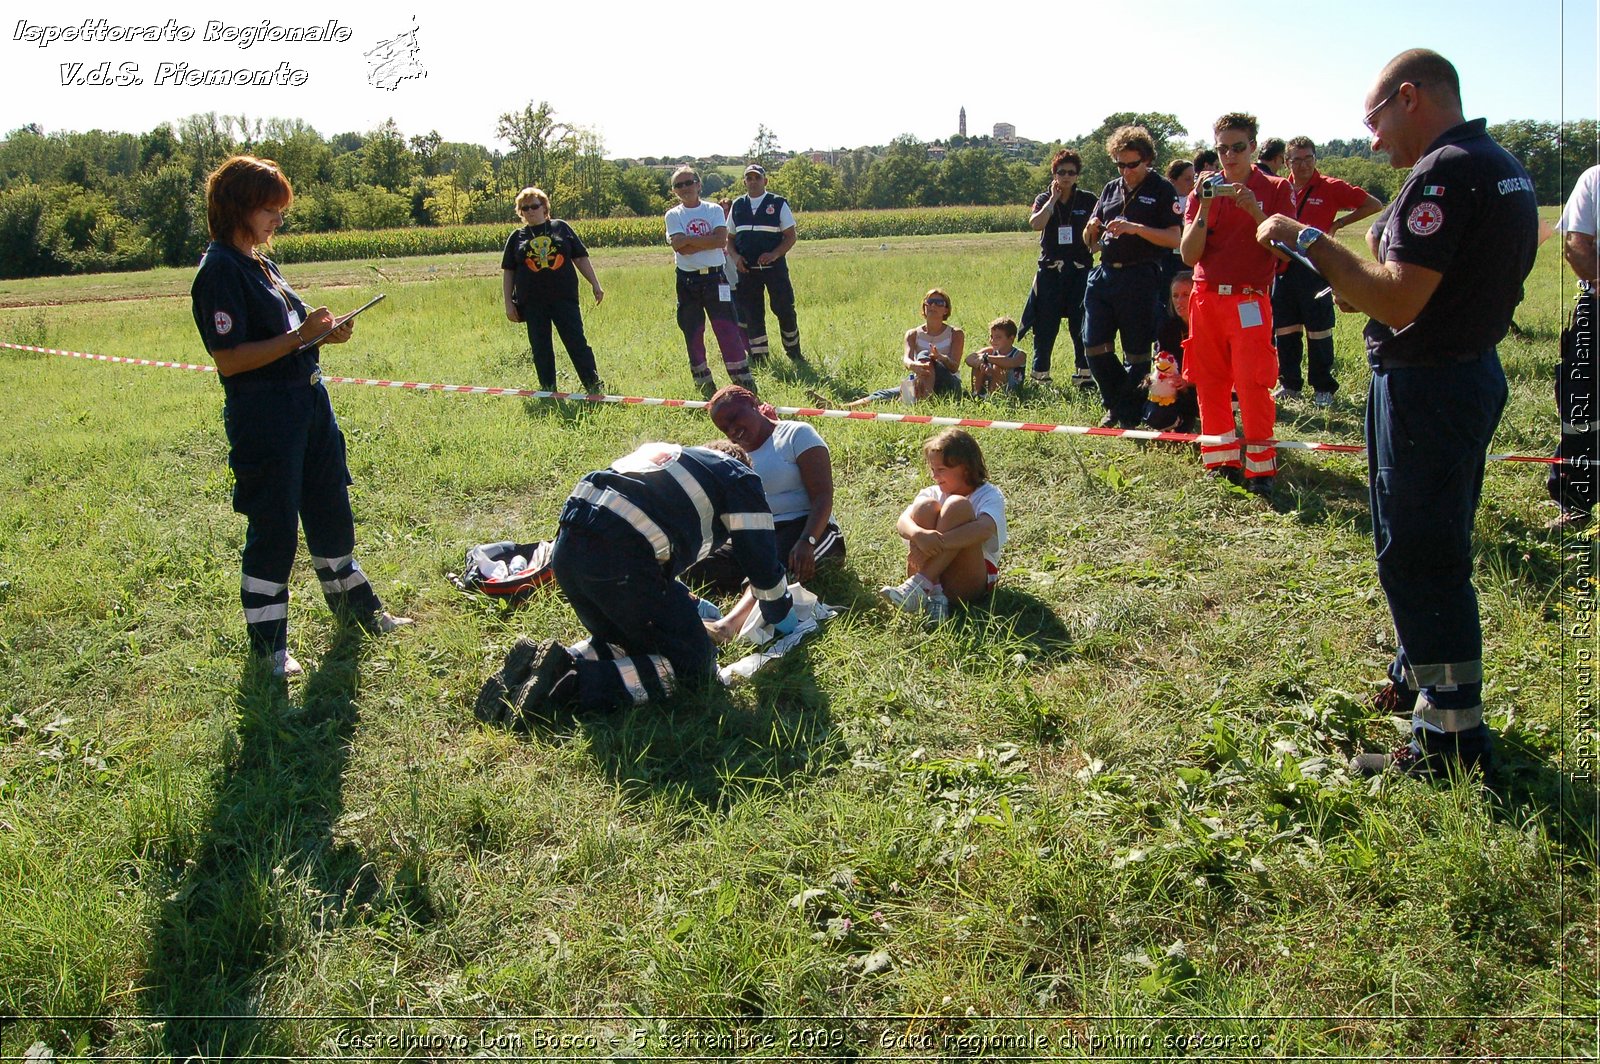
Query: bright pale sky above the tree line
{"x": 662, "y": 81}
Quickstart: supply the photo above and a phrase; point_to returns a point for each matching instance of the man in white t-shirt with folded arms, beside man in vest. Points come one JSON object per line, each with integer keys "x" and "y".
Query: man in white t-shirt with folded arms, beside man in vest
{"x": 698, "y": 233}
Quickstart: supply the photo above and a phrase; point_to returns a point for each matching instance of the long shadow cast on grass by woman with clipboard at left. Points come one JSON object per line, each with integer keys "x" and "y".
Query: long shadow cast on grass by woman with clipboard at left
{"x": 230, "y": 921}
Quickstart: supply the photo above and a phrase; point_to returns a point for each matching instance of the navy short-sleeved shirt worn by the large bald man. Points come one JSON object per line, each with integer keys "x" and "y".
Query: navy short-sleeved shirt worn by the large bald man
{"x": 1470, "y": 212}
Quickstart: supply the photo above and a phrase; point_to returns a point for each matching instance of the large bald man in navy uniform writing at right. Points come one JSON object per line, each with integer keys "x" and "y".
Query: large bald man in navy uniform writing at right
{"x": 1454, "y": 258}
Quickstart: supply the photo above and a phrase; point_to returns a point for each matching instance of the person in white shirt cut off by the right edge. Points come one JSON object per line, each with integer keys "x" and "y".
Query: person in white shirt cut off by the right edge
{"x": 1574, "y": 484}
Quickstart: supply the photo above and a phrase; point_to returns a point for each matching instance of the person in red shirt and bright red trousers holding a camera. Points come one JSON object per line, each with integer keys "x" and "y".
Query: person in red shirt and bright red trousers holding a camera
{"x": 1230, "y": 346}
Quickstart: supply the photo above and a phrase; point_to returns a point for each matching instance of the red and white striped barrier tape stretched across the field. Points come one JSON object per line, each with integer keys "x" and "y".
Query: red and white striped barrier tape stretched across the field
{"x": 796, "y": 412}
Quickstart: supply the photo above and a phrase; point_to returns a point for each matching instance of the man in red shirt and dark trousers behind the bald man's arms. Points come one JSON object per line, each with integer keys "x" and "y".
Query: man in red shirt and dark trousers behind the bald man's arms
{"x": 1302, "y": 302}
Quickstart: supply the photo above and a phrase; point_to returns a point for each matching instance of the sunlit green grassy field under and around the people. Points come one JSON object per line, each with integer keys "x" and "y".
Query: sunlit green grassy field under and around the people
{"x": 1103, "y": 817}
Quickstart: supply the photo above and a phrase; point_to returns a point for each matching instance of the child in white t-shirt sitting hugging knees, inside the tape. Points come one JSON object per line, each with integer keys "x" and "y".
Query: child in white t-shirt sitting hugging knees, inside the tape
{"x": 954, "y": 530}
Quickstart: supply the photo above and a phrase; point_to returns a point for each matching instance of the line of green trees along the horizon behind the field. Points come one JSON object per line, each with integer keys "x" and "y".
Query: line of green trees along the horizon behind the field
{"x": 97, "y": 201}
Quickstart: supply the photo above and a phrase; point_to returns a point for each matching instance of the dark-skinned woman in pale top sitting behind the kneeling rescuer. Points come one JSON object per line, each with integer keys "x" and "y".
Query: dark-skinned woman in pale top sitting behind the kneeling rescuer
{"x": 798, "y": 476}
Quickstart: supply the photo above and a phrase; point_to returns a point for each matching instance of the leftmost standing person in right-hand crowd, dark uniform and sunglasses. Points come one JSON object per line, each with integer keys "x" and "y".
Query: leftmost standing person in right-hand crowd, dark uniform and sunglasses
{"x": 1065, "y": 265}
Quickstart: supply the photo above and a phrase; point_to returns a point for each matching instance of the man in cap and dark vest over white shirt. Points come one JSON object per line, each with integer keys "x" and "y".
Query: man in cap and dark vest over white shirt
{"x": 762, "y": 230}
